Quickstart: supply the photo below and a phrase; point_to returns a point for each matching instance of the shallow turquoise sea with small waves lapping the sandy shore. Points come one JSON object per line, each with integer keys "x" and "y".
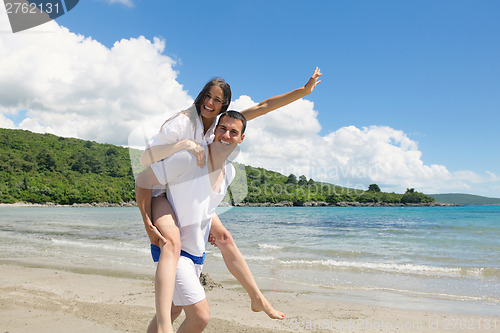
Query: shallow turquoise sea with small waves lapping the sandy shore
{"x": 421, "y": 258}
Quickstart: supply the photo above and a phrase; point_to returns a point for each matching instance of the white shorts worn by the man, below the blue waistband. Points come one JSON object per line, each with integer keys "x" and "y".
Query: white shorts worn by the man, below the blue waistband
{"x": 188, "y": 289}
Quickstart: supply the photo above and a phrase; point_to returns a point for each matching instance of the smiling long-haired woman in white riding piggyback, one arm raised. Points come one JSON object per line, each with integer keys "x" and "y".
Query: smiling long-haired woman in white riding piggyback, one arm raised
{"x": 192, "y": 130}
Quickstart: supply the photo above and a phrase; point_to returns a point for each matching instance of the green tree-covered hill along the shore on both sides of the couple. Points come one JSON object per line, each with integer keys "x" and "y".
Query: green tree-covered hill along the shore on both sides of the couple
{"x": 40, "y": 168}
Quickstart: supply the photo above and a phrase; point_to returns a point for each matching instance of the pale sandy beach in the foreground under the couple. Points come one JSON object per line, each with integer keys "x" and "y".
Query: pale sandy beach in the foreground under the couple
{"x": 47, "y": 300}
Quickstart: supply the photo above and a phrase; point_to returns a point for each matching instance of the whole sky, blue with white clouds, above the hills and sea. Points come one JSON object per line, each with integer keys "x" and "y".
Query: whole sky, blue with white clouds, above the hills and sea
{"x": 409, "y": 97}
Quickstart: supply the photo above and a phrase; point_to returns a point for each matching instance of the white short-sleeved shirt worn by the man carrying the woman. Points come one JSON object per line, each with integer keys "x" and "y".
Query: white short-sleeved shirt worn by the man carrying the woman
{"x": 191, "y": 196}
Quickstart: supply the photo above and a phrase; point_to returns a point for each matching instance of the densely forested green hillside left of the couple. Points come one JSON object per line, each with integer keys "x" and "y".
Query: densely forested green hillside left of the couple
{"x": 45, "y": 168}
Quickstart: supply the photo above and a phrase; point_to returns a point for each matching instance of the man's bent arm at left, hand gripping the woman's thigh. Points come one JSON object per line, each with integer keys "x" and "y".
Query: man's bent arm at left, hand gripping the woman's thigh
{"x": 143, "y": 194}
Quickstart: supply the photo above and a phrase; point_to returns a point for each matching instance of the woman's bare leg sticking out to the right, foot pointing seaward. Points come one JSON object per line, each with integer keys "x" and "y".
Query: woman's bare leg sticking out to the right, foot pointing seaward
{"x": 237, "y": 265}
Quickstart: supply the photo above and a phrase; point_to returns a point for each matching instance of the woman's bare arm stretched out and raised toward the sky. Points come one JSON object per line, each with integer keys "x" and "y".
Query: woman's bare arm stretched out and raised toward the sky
{"x": 276, "y": 102}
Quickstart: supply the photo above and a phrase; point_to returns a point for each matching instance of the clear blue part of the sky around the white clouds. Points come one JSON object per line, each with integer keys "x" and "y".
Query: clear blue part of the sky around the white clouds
{"x": 428, "y": 69}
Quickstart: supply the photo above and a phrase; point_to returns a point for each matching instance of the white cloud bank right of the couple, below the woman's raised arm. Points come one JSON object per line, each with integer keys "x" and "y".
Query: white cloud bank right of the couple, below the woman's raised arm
{"x": 288, "y": 141}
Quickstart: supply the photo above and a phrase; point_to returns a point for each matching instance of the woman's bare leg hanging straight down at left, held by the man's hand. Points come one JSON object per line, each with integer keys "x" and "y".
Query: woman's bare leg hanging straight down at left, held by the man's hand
{"x": 165, "y": 221}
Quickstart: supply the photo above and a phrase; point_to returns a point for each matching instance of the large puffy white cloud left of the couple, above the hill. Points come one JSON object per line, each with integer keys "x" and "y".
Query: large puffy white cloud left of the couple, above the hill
{"x": 72, "y": 85}
